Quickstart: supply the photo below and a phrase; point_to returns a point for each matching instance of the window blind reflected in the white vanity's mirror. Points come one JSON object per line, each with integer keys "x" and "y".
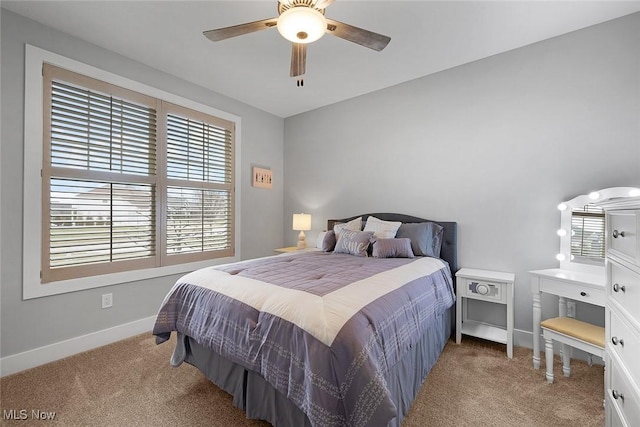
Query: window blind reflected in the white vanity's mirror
{"x": 587, "y": 232}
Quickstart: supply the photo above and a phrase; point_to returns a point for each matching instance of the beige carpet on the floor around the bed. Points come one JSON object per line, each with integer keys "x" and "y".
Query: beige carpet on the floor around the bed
{"x": 130, "y": 383}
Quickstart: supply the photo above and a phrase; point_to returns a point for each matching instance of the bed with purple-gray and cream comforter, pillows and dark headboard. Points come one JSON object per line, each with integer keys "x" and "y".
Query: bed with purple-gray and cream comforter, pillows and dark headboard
{"x": 322, "y": 338}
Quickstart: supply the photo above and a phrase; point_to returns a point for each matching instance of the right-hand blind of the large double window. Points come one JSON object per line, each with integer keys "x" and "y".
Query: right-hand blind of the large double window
{"x": 200, "y": 183}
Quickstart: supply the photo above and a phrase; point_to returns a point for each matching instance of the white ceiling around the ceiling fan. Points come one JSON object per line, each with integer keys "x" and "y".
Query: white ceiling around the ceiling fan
{"x": 426, "y": 37}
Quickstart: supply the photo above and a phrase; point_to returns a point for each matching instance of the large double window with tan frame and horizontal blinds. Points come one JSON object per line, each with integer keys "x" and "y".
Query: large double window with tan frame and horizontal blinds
{"x": 130, "y": 181}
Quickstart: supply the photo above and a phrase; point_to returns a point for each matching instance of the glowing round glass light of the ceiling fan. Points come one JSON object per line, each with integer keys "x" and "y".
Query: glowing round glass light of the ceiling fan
{"x": 302, "y": 24}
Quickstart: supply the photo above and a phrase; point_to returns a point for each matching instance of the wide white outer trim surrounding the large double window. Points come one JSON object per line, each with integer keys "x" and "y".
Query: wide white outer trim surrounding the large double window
{"x": 33, "y": 156}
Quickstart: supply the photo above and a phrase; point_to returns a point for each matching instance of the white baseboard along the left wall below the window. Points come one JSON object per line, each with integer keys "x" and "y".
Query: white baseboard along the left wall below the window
{"x": 52, "y": 352}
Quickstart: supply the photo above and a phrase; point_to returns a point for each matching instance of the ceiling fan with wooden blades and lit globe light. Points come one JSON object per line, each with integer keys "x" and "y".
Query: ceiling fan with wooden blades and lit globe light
{"x": 302, "y": 22}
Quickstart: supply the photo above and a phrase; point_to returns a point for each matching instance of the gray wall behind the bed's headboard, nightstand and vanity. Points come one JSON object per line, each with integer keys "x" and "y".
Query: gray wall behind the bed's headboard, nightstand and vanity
{"x": 494, "y": 145}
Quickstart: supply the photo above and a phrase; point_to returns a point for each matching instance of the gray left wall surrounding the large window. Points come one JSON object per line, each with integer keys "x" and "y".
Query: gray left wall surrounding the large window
{"x": 36, "y": 323}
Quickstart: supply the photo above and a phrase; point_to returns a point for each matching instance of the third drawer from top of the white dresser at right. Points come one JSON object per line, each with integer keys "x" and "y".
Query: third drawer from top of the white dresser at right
{"x": 624, "y": 342}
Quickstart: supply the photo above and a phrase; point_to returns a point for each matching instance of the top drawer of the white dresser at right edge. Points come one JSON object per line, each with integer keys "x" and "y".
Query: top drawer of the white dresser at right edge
{"x": 622, "y": 227}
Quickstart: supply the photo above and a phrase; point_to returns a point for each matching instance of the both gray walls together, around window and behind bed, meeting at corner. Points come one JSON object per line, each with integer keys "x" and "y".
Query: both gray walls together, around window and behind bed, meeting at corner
{"x": 494, "y": 145}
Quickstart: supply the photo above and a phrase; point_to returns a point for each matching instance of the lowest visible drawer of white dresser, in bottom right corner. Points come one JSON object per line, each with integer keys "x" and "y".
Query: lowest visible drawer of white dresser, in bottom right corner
{"x": 623, "y": 395}
